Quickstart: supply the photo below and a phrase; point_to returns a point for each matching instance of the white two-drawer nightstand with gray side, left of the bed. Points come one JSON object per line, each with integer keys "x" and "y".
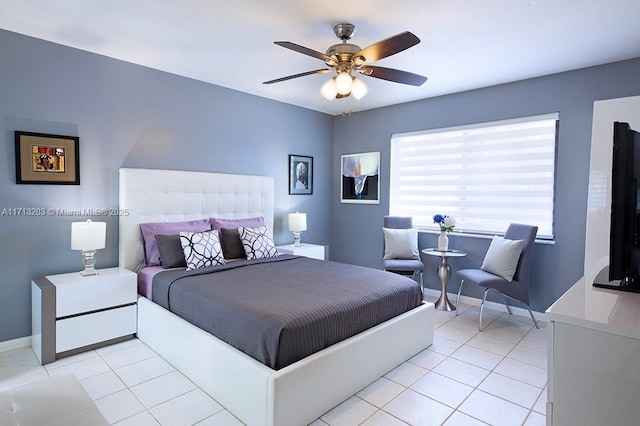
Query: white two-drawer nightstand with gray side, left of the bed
{"x": 71, "y": 313}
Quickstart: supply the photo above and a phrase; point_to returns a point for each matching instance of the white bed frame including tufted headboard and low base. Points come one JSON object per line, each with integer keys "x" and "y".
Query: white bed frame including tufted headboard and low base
{"x": 257, "y": 395}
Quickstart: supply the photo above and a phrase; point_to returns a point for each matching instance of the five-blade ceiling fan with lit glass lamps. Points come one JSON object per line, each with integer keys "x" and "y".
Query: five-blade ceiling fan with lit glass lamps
{"x": 345, "y": 58}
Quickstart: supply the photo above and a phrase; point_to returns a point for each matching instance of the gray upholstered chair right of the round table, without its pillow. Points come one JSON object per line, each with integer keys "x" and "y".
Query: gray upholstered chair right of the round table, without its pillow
{"x": 518, "y": 288}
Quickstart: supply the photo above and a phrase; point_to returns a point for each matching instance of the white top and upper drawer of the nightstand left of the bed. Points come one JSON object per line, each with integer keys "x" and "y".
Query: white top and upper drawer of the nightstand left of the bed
{"x": 76, "y": 294}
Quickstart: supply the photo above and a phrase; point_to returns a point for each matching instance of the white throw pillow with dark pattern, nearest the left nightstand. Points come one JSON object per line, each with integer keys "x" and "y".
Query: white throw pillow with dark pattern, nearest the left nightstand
{"x": 201, "y": 249}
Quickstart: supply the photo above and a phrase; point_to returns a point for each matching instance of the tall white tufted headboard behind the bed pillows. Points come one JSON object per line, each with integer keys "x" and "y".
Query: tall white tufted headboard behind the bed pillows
{"x": 148, "y": 195}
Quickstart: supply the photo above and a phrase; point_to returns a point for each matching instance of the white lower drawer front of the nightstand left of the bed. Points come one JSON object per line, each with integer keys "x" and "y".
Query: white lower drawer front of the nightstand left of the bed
{"x": 75, "y": 332}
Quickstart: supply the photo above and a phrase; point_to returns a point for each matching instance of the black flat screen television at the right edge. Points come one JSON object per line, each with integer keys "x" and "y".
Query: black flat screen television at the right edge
{"x": 624, "y": 248}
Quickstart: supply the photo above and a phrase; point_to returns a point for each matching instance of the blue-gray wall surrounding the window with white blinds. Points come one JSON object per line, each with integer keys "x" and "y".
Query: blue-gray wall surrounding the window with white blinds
{"x": 356, "y": 235}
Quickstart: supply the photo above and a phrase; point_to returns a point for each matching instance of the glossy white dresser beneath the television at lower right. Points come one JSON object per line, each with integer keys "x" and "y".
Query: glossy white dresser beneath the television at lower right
{"x": 594, "y": 357}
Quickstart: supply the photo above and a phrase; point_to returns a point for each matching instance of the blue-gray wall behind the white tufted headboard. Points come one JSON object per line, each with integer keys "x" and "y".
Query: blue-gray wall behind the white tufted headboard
{"x": 131, "y": 116}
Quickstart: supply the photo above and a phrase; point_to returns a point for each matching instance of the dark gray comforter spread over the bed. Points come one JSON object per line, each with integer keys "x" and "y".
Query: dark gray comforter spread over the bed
{"x": 280, "y": 310}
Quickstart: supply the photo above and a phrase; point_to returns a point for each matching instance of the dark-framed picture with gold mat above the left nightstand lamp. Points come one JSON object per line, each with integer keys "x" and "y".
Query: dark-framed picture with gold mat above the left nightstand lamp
{"x": 47, "y": 159}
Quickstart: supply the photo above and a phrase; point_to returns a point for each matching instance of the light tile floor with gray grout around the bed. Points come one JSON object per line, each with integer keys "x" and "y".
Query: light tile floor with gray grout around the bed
{"x": 495, "y": 377}
